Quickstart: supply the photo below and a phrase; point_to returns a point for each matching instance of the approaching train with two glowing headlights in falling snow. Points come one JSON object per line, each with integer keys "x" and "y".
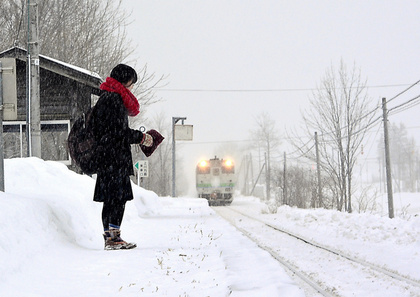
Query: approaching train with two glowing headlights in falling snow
{"x": 215, "y": 181}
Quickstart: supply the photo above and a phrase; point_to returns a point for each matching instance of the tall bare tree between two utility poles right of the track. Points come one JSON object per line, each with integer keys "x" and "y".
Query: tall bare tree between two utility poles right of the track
{"x": 340, "y": 111}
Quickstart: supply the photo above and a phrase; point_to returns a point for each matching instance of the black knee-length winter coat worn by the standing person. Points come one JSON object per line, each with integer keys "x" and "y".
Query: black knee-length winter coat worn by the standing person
{"x": 114, "y": 137}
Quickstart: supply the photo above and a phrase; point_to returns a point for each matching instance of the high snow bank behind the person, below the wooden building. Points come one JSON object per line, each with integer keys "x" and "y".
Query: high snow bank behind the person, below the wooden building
{"x": 46, "y": 204}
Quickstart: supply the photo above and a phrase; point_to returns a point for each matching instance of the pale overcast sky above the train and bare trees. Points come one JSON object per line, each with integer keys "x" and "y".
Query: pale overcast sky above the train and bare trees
{"x": 229, "y": 61}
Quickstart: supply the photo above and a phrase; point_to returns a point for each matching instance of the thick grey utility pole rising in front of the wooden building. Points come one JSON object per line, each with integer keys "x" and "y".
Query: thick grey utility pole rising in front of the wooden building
{"x": 33, "y": 102}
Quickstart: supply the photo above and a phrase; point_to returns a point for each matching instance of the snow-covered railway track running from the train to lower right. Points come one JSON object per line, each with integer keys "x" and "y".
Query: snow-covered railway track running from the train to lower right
{"x": 320, "y": 270}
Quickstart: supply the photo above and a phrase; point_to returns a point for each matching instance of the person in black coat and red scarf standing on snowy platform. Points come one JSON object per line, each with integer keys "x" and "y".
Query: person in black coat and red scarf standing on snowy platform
{"x": 114, "y": 138}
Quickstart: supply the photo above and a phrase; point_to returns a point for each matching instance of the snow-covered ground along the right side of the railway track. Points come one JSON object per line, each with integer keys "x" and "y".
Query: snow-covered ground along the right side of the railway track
{"x": 393, "y": 244}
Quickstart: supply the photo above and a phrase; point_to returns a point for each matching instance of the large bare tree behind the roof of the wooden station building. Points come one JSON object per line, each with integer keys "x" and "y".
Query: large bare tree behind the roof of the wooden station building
{"x": 87, "y": 33}
